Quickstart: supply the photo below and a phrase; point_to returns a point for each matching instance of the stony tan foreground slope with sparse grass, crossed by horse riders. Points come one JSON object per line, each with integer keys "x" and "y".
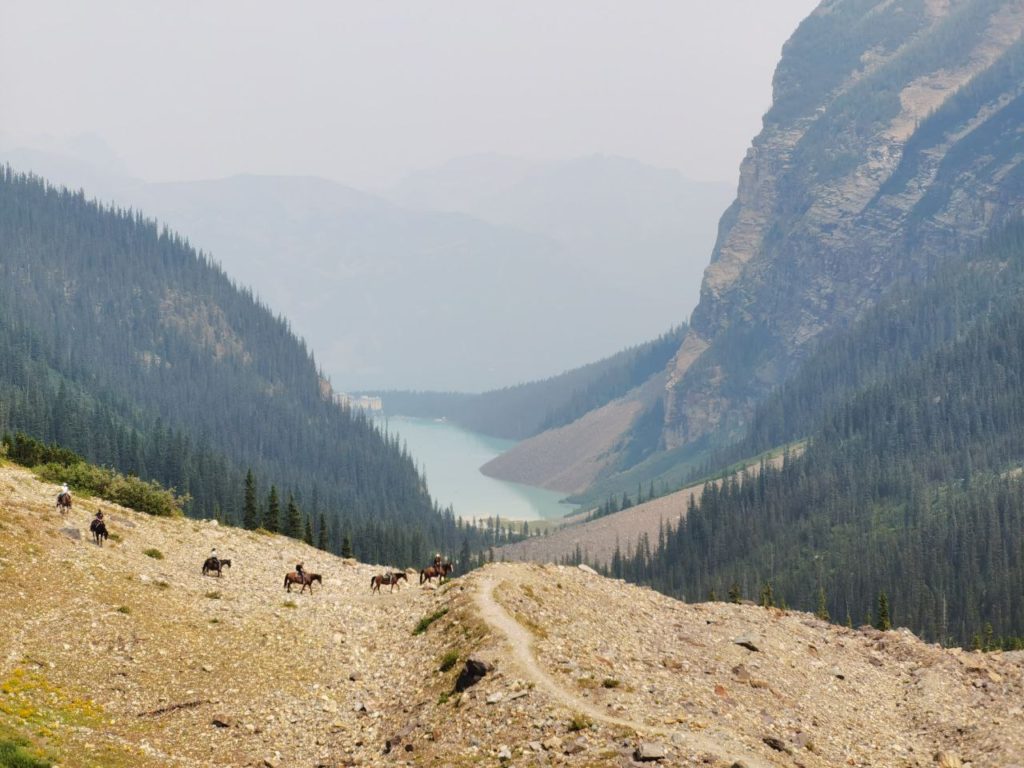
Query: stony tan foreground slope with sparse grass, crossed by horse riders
{"x": 127, "y": 656}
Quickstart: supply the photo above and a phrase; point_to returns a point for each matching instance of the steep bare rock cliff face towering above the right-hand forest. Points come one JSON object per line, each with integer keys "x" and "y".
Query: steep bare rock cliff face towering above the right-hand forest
{"x": 893, "y": 142}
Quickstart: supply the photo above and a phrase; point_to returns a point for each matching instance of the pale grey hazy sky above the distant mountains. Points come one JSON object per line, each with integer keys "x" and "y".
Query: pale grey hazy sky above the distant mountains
{"x": 365, "y": 92}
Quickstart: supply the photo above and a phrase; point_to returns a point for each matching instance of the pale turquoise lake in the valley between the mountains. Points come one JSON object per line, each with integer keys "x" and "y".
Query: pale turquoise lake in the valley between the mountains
{"x": 452, "y": 458}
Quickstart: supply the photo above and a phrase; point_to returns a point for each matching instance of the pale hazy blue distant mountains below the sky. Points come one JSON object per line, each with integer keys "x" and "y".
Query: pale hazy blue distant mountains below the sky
{"x": 454, "y": 282}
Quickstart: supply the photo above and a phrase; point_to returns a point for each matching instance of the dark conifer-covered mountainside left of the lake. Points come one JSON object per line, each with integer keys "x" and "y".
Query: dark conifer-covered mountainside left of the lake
{"x": 122, "y": 344}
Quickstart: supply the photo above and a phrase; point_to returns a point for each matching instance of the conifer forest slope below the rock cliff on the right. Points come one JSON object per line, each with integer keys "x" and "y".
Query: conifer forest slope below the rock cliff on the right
{"x": 913, "y": 481}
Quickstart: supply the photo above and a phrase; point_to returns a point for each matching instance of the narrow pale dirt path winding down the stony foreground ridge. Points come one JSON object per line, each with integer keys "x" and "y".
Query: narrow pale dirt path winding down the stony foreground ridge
{"x": 521, "y": 644}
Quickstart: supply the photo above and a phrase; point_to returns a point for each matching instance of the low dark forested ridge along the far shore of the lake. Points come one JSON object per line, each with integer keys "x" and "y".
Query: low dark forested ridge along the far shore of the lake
{"x": 525, "y": 410}
